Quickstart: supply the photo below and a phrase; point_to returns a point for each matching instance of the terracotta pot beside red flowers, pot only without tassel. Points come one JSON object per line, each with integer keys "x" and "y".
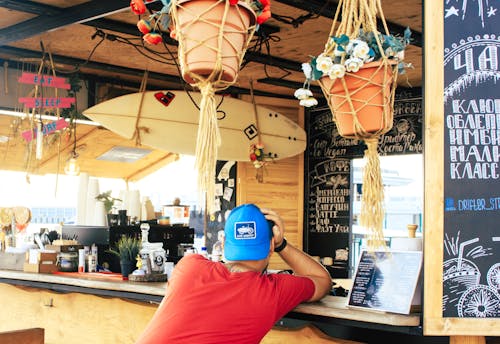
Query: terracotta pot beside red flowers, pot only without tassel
{"x": 212, "y": 42}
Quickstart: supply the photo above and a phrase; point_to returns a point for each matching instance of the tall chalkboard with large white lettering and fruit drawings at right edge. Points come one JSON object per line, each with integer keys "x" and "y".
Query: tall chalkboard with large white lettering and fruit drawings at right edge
{"x": 471, "y": 262}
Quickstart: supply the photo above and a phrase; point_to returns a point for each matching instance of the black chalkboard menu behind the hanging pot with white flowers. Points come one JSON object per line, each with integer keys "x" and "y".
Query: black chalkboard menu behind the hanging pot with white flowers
{"x": 328, "y": 173}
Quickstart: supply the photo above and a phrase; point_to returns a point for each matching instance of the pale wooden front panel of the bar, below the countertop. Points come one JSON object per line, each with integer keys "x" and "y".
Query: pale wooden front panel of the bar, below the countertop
{"x": 80, "y": 318}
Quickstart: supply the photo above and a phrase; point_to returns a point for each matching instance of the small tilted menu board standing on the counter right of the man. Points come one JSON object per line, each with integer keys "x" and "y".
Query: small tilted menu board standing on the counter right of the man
{"x": 386, "y": 281}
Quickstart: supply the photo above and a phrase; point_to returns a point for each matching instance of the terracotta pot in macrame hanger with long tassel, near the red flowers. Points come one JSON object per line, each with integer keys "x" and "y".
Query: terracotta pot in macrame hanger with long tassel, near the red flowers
{"x": 213, "y": 37}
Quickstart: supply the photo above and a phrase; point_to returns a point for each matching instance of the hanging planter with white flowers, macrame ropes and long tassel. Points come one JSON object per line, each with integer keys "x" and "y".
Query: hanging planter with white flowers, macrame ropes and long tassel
{"x": 357, "y": 72}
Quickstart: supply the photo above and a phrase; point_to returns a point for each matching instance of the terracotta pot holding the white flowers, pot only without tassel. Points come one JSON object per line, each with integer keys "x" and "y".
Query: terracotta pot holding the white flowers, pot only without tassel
{"x": 362, "y": 102}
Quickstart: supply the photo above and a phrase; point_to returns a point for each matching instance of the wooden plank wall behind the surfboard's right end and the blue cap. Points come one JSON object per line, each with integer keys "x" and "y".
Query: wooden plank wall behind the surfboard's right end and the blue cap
{"x": 283, "y": 186}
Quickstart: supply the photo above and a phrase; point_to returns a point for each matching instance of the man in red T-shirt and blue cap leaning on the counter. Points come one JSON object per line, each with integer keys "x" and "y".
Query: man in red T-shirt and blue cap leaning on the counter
{"x": 236, "y": 301}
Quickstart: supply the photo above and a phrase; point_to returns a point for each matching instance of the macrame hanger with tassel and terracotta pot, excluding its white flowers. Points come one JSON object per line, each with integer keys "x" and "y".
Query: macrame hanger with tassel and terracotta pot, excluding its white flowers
{"x": 355, "y": 93}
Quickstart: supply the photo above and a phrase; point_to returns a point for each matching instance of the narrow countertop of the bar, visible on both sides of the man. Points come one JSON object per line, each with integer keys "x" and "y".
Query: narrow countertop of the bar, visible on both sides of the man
{"x": 328, "y": 307}
